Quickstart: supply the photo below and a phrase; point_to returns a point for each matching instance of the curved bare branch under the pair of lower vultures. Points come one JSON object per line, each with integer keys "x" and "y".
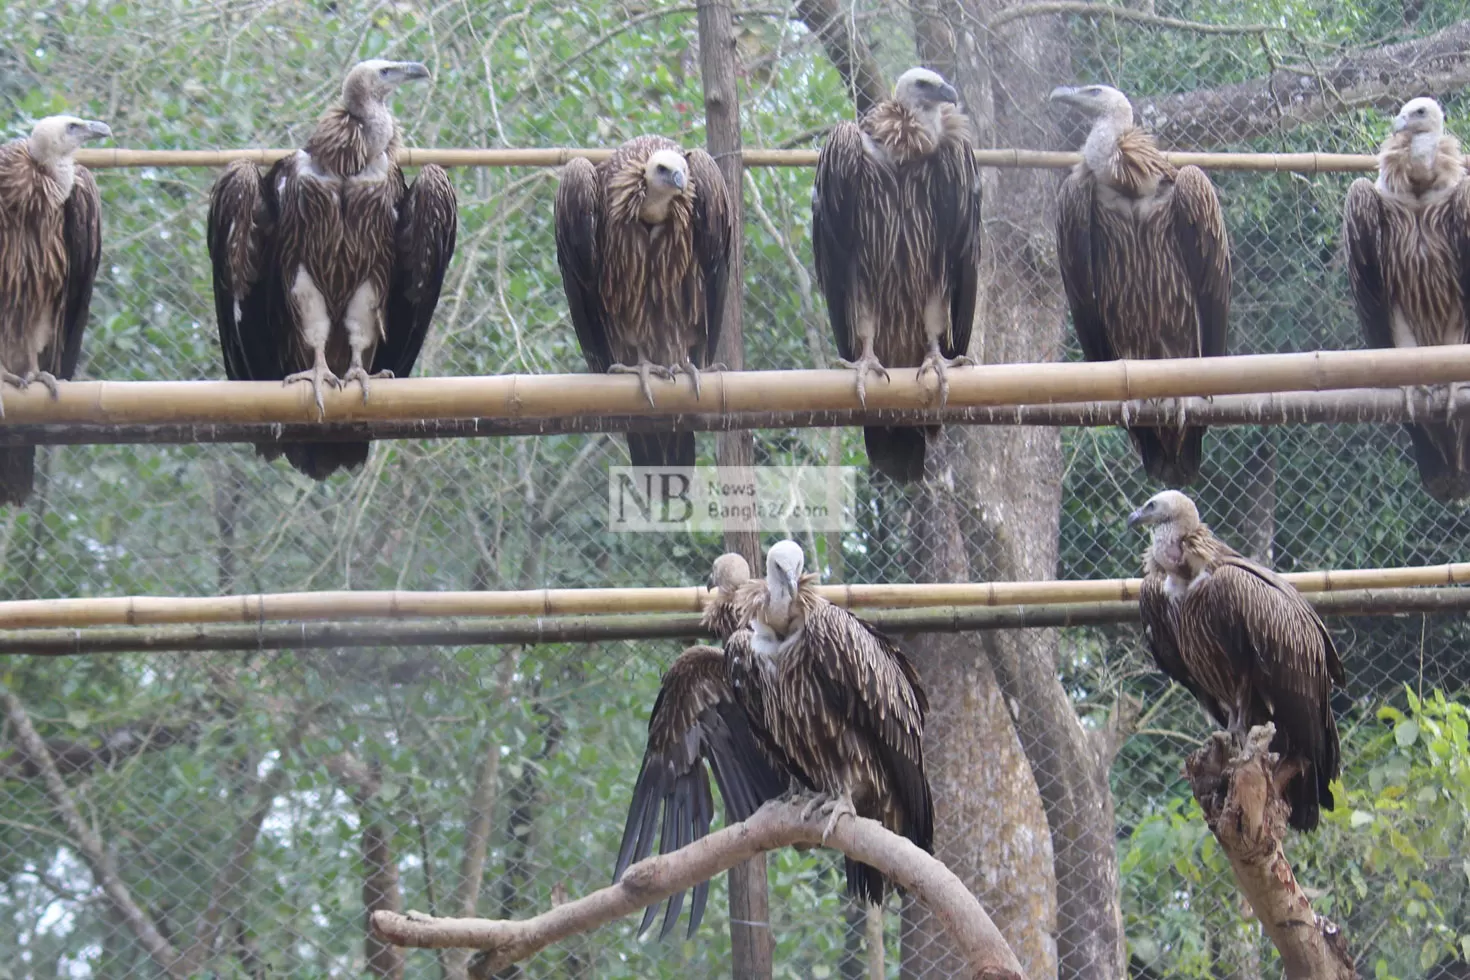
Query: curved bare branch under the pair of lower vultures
{"x": 775, "y": 825}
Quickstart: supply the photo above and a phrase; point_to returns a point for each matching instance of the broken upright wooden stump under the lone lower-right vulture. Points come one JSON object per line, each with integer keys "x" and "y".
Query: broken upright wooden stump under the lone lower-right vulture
{"x": 1240, "y": 793}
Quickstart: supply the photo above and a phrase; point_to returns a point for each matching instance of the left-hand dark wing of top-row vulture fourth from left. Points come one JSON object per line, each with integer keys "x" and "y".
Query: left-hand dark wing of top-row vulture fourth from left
{"x": 843, "y": 170}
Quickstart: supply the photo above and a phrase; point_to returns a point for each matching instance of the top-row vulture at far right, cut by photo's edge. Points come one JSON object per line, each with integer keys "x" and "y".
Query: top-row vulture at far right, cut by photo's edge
{"x": 1408, "y": 237}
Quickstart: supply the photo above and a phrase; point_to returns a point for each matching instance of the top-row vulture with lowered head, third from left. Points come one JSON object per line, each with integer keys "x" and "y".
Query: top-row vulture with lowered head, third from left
{"x": 645, "y": 246}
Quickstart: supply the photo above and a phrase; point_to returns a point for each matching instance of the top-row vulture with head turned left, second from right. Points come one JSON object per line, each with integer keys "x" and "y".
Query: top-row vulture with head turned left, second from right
{"x": 1146, "y": 262}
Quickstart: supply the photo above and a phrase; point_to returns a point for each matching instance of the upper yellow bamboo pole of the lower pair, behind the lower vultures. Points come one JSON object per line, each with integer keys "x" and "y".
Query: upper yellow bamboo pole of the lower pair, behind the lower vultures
{"x": 148, "y": 610}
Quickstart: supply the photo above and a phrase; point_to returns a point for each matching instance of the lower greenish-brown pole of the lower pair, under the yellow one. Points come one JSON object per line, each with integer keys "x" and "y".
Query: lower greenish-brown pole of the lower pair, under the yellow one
{"x": 592, "y": 630}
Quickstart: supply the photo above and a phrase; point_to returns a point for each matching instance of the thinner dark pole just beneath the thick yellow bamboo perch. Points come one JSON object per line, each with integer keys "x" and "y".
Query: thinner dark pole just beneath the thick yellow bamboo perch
{"x": 1290, "y": 408}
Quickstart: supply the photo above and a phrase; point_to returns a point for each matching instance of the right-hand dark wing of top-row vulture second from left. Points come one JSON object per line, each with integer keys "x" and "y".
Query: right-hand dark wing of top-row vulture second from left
{"x": 429, "y": 223}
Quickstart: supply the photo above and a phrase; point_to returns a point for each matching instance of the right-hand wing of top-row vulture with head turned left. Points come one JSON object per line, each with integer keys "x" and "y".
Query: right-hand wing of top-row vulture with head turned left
{"x": 1206, "y": 252}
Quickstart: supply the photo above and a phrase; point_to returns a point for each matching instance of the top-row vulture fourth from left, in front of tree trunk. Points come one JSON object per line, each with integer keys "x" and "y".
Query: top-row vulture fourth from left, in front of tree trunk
{"x": 896, "y": 233}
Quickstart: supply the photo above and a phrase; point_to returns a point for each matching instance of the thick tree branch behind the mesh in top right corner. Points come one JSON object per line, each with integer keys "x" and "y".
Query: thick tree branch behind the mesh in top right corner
{"x": 1372, "y": 77}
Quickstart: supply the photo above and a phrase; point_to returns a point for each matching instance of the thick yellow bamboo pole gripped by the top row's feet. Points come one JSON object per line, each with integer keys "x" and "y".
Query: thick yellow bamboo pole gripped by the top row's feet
{"x": 568, "y": 396}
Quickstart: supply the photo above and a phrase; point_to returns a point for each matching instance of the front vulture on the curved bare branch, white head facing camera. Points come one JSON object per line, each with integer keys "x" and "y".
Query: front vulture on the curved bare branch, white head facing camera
{"x": 843, "y": 707}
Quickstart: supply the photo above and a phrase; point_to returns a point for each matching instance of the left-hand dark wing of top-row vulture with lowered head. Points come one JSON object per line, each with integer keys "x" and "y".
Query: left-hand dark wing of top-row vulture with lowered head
{"x": 578, "y": 212}
